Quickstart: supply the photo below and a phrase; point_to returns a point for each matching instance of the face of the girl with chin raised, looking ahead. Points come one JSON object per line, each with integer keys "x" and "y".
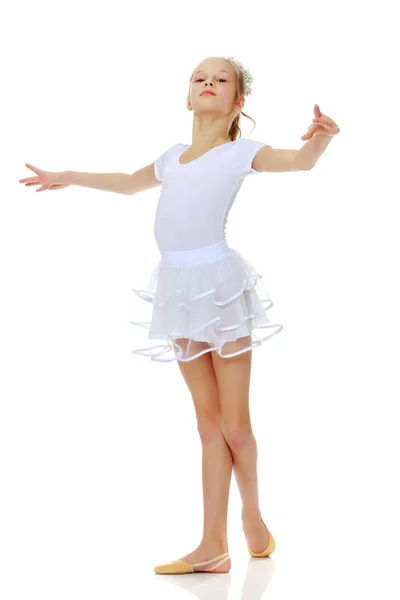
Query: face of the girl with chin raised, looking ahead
{"x": 218, "y": 76}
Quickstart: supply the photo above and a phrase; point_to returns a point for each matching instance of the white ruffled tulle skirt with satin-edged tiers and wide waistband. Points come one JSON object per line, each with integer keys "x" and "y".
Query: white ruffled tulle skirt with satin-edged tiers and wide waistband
{"x": 200, "y": 300}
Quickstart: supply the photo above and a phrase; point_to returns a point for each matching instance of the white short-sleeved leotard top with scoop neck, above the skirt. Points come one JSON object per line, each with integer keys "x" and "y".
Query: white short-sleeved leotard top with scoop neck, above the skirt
{"x": 196, "y": 197}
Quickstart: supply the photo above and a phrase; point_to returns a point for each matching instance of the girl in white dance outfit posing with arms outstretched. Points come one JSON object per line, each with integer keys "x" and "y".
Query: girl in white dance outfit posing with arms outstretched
{"x": 207, "y": 300}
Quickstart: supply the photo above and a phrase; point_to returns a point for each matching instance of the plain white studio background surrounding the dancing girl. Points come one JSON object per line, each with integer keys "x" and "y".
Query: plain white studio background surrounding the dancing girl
{"x": 100, "y": 460}
